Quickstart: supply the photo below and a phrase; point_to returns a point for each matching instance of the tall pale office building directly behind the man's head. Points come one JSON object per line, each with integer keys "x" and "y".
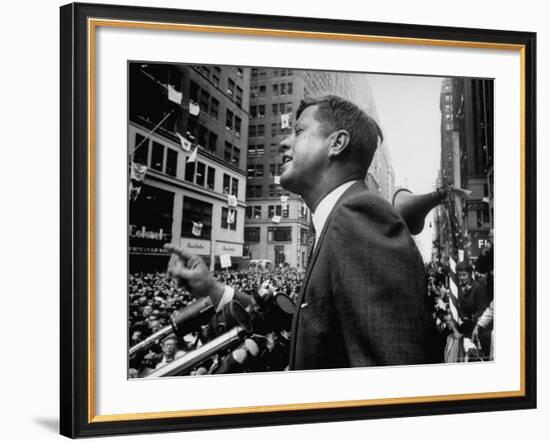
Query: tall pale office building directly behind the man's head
{"x": 277, "y": 222}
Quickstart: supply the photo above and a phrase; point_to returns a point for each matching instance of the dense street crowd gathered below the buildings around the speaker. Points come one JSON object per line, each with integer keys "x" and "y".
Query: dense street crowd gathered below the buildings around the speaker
{"x": 154, "y": 297}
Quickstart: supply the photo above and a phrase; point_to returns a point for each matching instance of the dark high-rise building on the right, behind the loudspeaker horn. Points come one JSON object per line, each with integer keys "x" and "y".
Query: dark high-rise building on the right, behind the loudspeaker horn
{"x": 467, "y": 149}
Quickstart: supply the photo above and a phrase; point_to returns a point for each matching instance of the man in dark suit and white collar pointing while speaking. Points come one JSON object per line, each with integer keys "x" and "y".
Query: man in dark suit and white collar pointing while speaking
{"x": 363, "y": 300}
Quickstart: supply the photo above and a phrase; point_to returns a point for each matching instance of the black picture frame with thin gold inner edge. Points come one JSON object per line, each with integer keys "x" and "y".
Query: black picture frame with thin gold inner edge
{"x": 77, "y": 419}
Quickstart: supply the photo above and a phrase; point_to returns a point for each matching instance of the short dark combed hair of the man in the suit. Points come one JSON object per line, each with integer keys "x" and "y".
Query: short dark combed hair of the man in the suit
{"x": 336, "y": 113}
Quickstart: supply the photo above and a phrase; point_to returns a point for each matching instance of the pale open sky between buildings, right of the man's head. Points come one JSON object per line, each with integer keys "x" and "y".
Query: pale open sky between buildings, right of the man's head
{"x": 410, "y": 118}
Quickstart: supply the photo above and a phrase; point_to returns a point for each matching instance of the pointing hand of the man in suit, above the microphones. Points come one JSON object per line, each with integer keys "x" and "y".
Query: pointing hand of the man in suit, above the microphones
{"x": 191, "y": 271}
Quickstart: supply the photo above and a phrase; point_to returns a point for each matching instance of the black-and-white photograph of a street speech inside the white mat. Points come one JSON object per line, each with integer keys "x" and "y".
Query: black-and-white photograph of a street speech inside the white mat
{"x": 282, "y": 219}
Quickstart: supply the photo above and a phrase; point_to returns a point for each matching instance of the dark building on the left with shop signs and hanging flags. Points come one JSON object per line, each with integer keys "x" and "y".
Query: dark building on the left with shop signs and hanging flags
{"x": 189, "y": 126}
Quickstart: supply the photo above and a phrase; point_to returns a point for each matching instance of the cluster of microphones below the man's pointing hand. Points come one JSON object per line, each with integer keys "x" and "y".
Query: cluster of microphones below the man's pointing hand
{"x": 251, "y": 338}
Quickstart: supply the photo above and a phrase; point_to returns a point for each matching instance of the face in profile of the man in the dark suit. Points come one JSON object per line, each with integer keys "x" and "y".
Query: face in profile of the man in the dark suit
{"x": 304, "y": 153}
